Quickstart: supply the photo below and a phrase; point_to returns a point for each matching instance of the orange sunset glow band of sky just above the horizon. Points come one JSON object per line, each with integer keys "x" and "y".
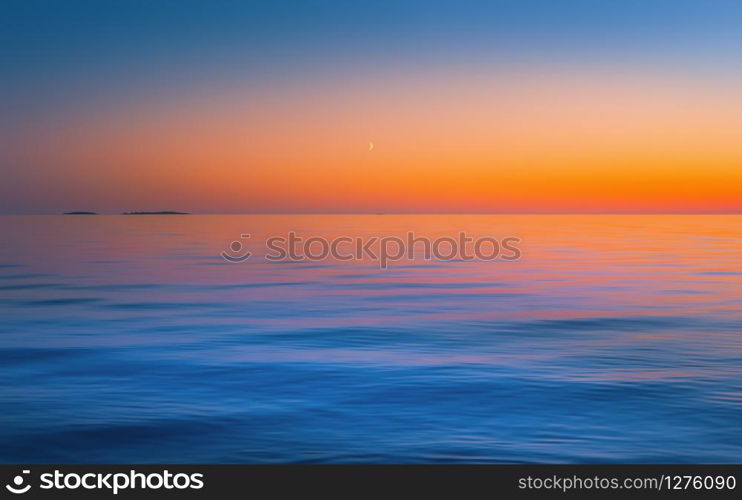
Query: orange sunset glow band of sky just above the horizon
{"x": 550, "y": 140}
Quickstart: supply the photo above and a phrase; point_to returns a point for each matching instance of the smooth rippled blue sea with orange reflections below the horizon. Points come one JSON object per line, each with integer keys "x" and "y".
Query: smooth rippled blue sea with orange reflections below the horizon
{"x": 129, "y": 339}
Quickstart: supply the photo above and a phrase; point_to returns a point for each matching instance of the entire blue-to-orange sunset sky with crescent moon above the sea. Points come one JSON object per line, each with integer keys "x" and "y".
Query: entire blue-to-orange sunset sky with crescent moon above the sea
{"x": 515, "y": 106}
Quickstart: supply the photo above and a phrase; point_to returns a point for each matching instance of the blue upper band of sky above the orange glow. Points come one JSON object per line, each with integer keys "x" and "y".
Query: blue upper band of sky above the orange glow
{"x": 40, "y": 39}
